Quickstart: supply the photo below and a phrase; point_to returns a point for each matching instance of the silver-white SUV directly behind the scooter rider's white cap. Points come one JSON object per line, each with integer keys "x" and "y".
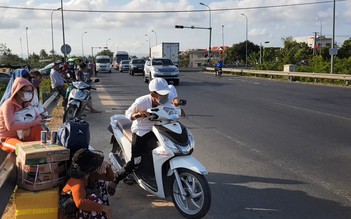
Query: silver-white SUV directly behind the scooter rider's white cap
{"x": 161, "y": 68}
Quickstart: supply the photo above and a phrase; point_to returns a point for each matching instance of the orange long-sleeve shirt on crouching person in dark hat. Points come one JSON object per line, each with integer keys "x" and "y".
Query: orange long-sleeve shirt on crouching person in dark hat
{"x": 78, "y": 190}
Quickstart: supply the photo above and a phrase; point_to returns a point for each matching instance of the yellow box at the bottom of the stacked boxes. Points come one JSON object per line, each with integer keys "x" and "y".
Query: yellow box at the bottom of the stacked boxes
{"x": 38, "y": 205}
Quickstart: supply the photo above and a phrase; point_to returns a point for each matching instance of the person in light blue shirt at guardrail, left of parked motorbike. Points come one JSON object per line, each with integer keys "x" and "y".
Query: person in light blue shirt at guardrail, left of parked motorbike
{"x": 57, "y": 82}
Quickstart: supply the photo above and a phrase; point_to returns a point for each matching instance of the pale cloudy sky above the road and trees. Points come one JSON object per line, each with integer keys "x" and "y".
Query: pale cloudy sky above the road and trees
{"x": 134, "y": 25}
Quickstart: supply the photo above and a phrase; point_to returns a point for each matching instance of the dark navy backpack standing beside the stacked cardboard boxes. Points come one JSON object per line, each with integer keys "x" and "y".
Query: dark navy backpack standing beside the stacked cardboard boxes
{"x": 74, "y": 134}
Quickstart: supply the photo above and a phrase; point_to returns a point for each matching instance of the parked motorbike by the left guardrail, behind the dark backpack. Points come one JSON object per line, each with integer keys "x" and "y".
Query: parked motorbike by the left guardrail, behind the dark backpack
{"x": 78, "y": 95}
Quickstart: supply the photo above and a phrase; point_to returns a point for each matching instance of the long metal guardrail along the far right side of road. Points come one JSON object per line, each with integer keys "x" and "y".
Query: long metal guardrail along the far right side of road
{"x": 290, "y": 75}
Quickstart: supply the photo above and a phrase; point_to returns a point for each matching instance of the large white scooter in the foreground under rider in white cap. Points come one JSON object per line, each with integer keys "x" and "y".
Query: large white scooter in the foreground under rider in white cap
{"x": 168, "y": 169}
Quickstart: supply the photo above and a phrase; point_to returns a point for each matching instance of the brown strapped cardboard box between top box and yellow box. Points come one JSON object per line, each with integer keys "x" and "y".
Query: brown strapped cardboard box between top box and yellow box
{"x": 41, "y": 176}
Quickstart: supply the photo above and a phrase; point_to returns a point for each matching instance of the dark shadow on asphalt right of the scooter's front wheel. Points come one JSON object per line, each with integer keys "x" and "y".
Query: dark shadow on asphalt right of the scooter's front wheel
{"x": 258, "y": 197}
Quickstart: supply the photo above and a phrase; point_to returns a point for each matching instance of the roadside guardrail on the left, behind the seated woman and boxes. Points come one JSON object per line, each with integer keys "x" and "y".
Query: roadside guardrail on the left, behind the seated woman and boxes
{"x": 8, "y": 170}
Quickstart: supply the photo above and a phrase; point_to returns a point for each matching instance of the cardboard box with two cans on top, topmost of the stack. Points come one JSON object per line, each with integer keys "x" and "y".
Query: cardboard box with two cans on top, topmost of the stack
{"x": 35, "y": 152}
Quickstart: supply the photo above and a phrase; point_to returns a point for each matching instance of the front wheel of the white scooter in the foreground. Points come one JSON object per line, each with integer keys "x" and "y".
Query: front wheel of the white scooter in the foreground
{"x": 197, "y": 199}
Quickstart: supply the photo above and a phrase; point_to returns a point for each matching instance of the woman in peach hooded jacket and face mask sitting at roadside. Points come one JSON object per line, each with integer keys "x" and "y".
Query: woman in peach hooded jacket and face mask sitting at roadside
{"x": 18, "y": 120}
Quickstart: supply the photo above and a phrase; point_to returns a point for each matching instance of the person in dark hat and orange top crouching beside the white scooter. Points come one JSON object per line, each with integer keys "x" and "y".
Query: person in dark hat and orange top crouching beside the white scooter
{"x": 87, "y": 184}
